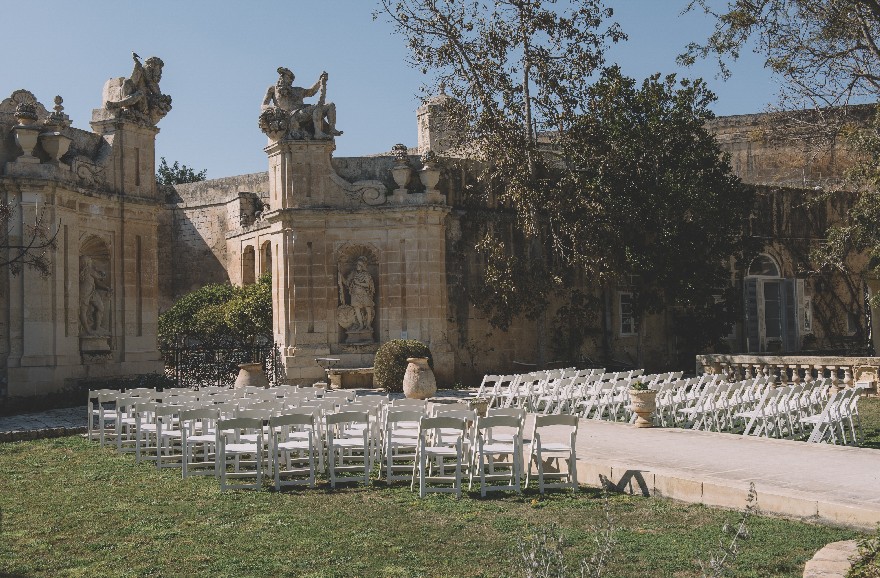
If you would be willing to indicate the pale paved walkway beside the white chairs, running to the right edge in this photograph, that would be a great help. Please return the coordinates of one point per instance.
(833, 484)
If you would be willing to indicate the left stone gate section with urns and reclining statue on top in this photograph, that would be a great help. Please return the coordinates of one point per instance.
(94, 313)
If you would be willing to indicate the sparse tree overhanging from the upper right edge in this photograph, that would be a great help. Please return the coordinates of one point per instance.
(828, 54)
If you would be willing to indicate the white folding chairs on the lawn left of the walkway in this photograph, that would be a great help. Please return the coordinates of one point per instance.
(172, 435)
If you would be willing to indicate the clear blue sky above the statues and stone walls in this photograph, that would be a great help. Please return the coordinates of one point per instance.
(220, 56)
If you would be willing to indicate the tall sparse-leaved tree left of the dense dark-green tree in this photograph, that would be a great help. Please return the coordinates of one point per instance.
(514, 68)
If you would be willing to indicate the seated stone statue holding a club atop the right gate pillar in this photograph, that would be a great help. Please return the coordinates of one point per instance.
(284, 112)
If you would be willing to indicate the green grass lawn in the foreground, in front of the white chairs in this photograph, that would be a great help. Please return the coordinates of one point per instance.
(70, 508)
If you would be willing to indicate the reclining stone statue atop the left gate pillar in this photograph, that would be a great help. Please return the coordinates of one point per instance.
(139, 96)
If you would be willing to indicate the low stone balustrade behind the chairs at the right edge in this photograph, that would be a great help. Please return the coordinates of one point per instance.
(794, 369)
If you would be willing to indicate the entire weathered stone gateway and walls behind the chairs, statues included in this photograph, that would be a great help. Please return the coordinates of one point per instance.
(361, 250)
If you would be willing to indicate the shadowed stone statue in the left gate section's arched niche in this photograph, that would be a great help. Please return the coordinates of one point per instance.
(94, 289)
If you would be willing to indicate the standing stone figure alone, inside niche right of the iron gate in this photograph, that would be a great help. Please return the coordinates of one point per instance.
(357, 316)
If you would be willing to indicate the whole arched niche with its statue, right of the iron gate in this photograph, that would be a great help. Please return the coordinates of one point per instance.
(356, 312)
